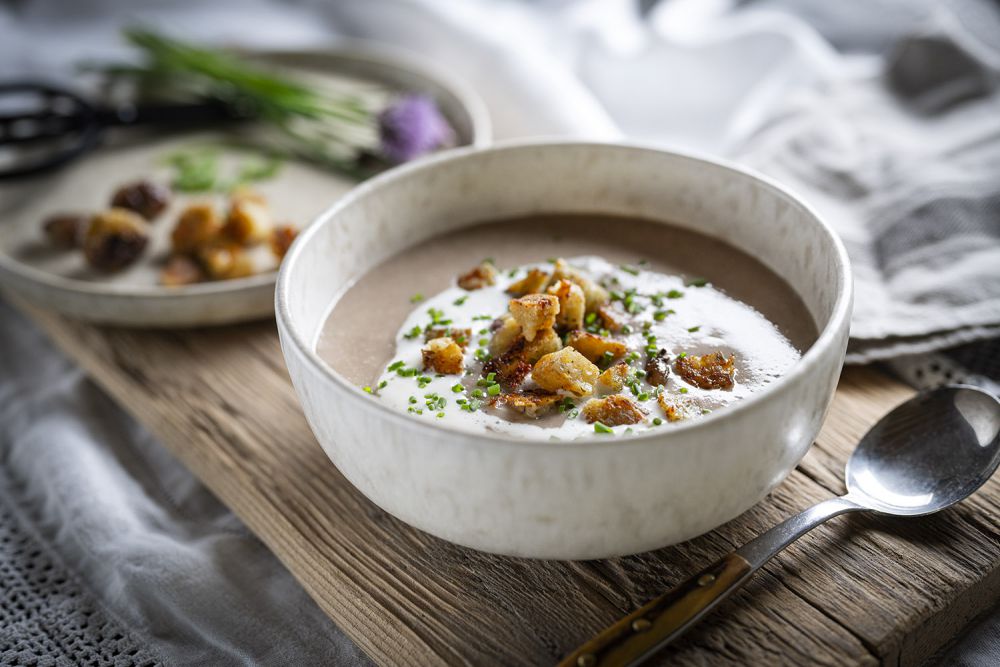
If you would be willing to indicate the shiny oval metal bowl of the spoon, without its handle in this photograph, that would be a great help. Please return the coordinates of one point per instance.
(928, 454)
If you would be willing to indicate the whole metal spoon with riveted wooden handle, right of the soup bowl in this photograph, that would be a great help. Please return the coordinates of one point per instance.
(927, 454)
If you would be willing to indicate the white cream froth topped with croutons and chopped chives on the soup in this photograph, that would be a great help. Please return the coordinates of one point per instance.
(571, 348)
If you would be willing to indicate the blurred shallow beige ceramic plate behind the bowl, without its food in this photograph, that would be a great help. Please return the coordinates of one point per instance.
(63, 282)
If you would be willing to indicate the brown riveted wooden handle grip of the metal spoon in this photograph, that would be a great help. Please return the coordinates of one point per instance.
(660, 621)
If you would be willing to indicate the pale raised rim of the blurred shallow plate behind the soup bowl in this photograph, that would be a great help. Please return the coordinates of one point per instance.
(346, 49)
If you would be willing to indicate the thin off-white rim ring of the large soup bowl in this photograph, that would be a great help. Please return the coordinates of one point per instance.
(827, 337)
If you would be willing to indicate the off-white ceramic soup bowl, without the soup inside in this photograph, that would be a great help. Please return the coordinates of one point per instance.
(593, 498)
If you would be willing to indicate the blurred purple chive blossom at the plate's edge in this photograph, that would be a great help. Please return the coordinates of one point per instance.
(411, 127)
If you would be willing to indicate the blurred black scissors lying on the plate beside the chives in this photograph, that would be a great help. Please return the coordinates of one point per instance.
(59, 125)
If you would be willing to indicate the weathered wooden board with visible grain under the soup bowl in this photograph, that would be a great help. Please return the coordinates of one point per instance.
(857, 591)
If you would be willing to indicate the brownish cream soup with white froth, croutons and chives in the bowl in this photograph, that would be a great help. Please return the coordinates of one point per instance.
(560, 326)
